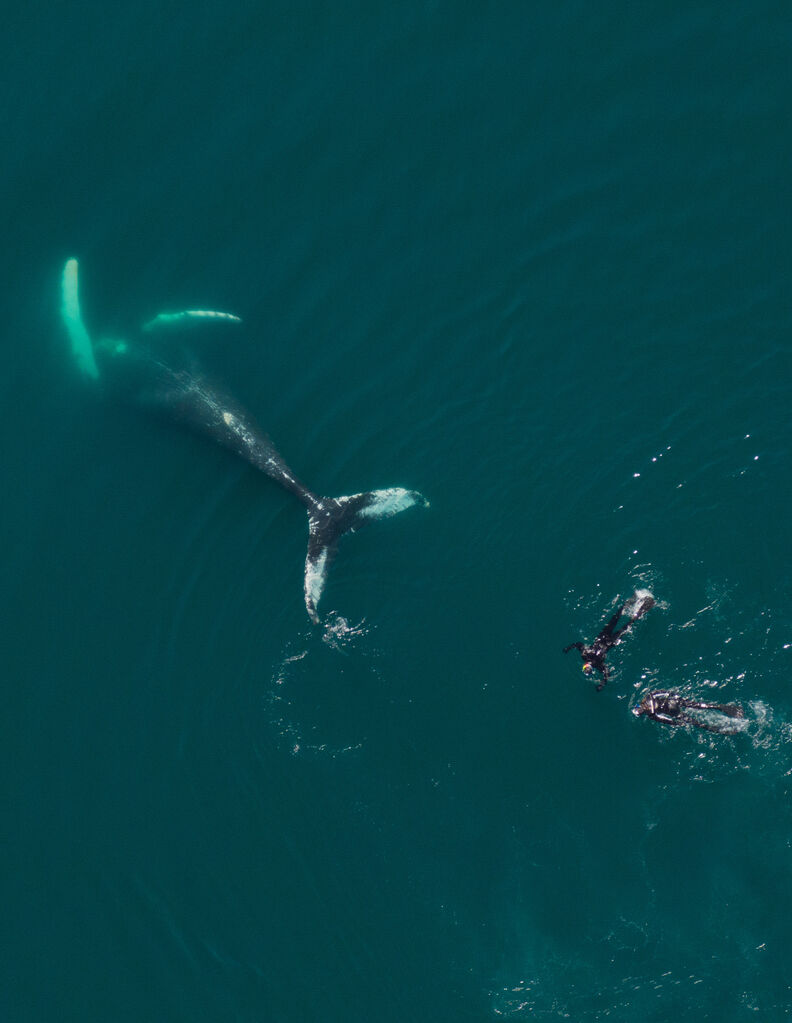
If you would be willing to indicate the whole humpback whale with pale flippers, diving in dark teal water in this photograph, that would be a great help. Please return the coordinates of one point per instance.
(187, 396)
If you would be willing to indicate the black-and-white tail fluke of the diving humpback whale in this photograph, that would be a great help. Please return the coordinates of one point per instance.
(331, 518)
